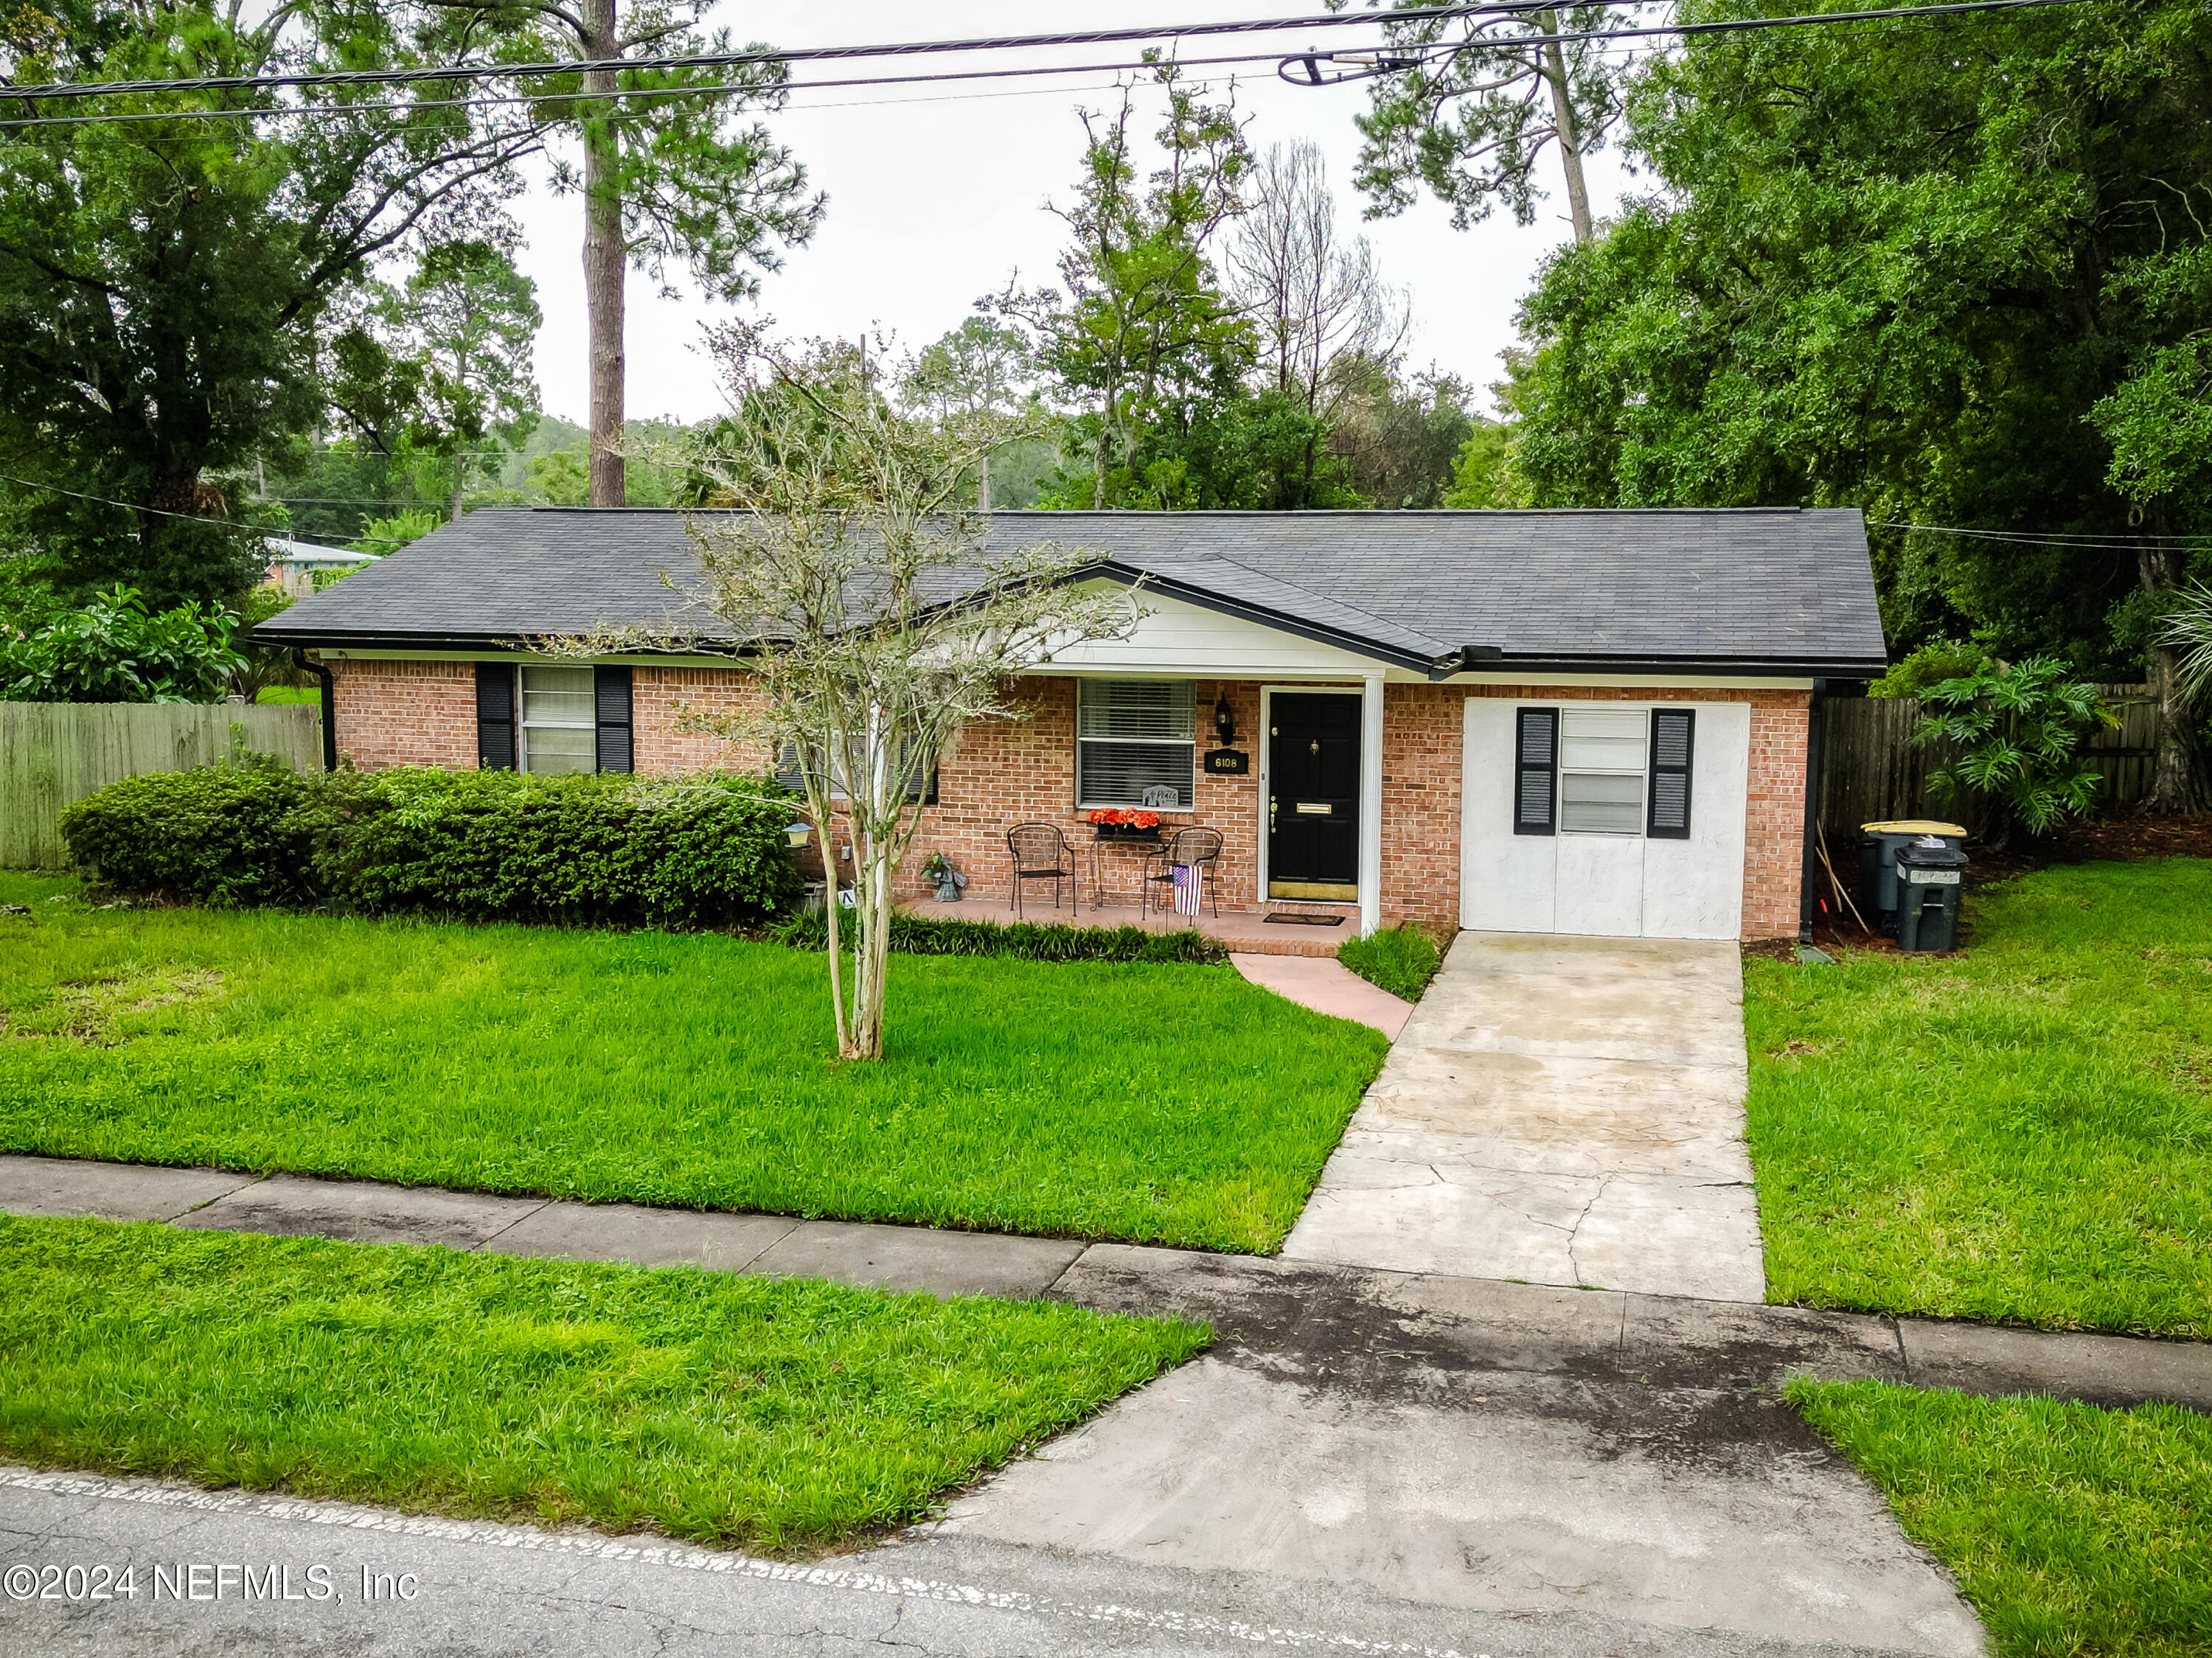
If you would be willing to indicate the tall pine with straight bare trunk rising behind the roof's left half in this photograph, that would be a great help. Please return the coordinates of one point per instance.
(669, 178)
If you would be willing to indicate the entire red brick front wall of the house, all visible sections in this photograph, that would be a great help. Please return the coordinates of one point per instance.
(1005, 773)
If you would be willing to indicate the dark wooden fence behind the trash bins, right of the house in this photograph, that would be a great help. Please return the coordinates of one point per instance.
(1872, 770)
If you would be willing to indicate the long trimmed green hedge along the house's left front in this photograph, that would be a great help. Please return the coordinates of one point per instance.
(477, 846)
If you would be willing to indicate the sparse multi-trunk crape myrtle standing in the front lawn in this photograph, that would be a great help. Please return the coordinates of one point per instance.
(848, 549)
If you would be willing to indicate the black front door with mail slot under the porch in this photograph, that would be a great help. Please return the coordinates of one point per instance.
(1315, 797)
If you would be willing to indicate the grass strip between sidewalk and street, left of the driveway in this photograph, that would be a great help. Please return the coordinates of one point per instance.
(753, 1412)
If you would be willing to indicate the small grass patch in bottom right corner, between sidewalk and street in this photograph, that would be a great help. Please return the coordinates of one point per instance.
(2076, 1533)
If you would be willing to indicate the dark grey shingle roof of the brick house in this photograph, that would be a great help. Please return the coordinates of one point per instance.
(1742, 591)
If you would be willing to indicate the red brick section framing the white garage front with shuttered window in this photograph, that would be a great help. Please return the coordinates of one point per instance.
(1423, 744)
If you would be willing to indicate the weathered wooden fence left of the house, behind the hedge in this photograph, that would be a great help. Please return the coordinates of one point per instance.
(61, 753)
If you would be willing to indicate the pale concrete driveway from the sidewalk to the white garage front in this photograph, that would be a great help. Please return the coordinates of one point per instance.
(1561, 1111)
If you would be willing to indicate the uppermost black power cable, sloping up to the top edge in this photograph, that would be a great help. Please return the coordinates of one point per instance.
(747, 59)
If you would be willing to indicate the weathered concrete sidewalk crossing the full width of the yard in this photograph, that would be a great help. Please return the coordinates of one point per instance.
(1525, 1328)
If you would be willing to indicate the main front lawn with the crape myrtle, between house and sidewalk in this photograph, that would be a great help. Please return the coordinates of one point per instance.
(1147, 1102)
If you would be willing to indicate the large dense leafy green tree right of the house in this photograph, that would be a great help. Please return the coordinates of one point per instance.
(1954, 273)
